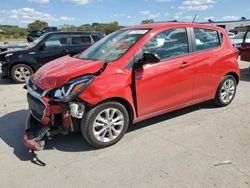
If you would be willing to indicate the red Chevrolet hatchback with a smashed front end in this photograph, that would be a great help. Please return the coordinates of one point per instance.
(133, 74)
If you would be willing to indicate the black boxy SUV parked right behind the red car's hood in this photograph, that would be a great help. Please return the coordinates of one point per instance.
(22, 63)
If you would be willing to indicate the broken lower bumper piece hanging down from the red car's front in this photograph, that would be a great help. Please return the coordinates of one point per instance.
(34, 134)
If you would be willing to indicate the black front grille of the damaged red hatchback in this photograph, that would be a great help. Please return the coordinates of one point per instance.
(37, 107)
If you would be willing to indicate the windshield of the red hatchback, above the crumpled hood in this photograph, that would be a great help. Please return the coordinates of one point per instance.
(113, 46)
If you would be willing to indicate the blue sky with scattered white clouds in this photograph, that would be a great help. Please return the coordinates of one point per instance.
(126, 12)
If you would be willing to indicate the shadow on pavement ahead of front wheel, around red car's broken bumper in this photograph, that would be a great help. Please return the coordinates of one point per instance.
(11, 132)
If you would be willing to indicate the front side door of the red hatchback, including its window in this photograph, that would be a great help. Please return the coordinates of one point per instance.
(168, 83)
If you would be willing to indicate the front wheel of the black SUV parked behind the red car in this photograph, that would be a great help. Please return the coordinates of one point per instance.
(20, 72)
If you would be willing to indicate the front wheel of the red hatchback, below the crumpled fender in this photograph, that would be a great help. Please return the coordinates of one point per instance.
(105, 124)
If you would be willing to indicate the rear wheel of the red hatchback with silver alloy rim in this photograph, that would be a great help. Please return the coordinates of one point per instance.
(226, 91)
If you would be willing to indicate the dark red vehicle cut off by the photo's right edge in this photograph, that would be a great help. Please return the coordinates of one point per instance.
(245, 46)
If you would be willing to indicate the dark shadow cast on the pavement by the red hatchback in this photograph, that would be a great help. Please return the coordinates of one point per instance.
(12, 127)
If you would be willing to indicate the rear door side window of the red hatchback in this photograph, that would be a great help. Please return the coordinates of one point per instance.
(206, 39)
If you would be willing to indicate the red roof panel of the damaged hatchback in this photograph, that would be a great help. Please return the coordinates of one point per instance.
(173, 24)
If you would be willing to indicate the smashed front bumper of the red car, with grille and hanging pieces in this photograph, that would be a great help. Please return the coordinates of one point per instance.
(45, 119)
